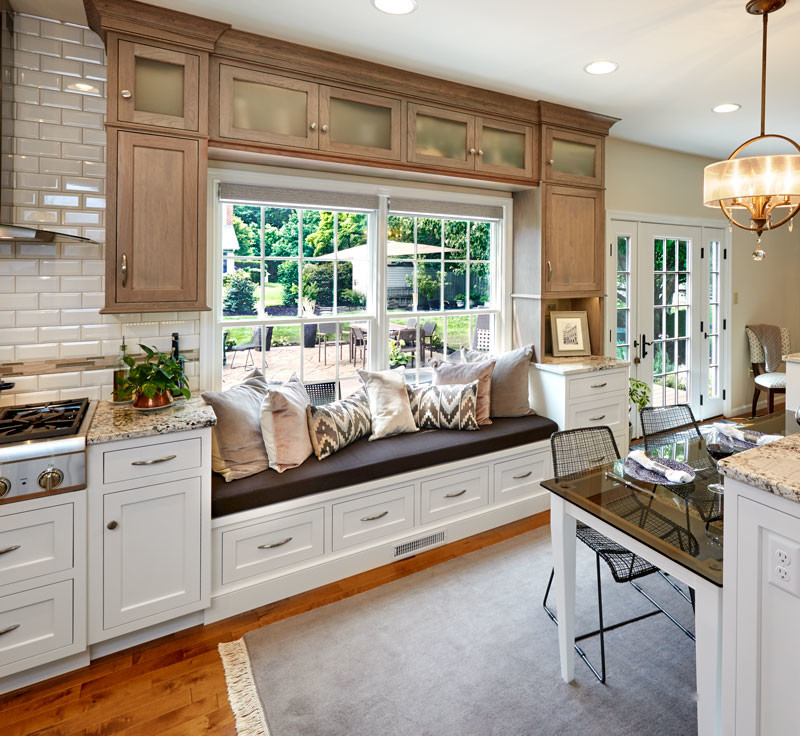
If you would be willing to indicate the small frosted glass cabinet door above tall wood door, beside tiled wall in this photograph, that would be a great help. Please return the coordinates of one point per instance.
(158, 87)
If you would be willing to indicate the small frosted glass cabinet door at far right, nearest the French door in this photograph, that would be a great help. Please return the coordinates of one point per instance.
(572, 158)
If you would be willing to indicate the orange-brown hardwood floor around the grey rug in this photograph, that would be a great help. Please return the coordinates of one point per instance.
(175, 686)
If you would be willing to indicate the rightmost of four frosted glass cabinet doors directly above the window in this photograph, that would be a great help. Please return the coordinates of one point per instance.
(503, 148)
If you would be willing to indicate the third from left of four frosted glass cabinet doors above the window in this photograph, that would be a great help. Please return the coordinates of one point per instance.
(441, 137)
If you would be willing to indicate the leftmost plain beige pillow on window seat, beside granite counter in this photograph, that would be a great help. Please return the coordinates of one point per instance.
(237, 449)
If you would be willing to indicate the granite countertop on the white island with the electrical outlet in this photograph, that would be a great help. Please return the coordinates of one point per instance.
(774, 468)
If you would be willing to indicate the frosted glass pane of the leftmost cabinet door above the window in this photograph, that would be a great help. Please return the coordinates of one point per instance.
(269, 109)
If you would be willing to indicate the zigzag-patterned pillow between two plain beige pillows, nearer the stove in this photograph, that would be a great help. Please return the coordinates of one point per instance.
(338, 424)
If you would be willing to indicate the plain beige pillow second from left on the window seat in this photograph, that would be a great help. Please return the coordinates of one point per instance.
(283, 424)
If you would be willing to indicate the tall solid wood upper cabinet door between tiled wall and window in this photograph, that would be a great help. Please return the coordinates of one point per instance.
(158, 258)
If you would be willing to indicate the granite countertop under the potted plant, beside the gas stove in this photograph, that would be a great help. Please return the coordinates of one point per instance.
(121, 422)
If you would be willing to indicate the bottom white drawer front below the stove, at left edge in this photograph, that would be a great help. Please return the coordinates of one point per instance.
(35, 621)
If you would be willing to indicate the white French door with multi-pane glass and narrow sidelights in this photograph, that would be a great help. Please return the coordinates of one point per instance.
(668, 311)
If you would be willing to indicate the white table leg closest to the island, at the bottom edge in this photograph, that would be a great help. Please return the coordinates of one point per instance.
(708, 629)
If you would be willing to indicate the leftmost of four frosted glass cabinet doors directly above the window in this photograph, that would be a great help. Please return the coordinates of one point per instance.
(267, 108)
